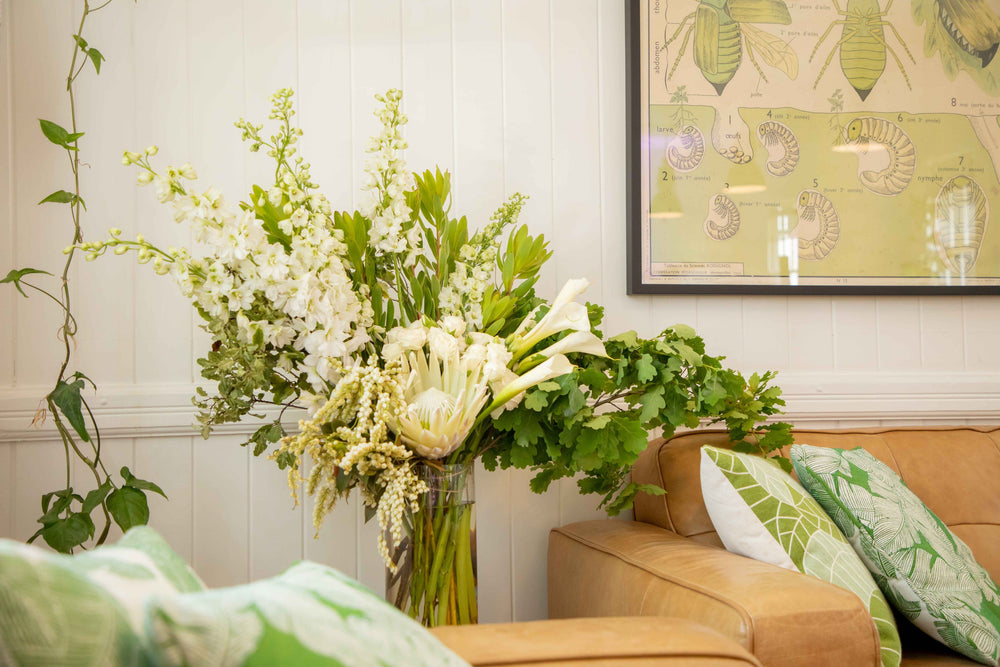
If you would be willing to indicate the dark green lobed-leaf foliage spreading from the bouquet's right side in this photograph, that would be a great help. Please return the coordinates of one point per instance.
(597, 419)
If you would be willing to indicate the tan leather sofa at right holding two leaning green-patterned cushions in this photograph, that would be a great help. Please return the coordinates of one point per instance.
(670, 562)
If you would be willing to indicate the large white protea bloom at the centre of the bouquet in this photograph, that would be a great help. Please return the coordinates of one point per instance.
(444, 397)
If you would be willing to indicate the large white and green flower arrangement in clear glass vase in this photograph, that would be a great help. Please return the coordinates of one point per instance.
(417, 343)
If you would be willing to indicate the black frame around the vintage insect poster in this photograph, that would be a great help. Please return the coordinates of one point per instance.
(634, 76)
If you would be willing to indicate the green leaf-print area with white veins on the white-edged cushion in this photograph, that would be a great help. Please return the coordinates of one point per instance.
(806, 534)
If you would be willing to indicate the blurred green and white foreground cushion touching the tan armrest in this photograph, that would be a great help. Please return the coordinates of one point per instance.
(309, 615)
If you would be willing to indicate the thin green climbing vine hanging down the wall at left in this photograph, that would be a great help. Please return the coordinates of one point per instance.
(67, 519)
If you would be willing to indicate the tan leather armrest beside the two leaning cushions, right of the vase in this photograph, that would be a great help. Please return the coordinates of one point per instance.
(626, 568)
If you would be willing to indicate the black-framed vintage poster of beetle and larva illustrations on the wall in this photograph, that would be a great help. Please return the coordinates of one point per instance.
(817, 146)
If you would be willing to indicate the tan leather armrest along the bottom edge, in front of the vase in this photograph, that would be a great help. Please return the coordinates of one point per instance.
(609, 642)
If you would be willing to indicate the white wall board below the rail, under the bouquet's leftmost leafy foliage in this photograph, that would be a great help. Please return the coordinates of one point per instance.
(220, 526)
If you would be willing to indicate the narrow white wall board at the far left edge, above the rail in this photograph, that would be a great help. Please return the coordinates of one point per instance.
(7, 228)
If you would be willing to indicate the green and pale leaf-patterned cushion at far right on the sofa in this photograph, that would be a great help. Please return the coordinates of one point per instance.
(928, 574)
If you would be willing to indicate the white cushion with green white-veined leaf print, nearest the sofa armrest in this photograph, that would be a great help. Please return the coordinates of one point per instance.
(759, 511)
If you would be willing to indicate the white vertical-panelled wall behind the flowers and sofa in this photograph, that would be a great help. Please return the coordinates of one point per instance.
(510, 95)
